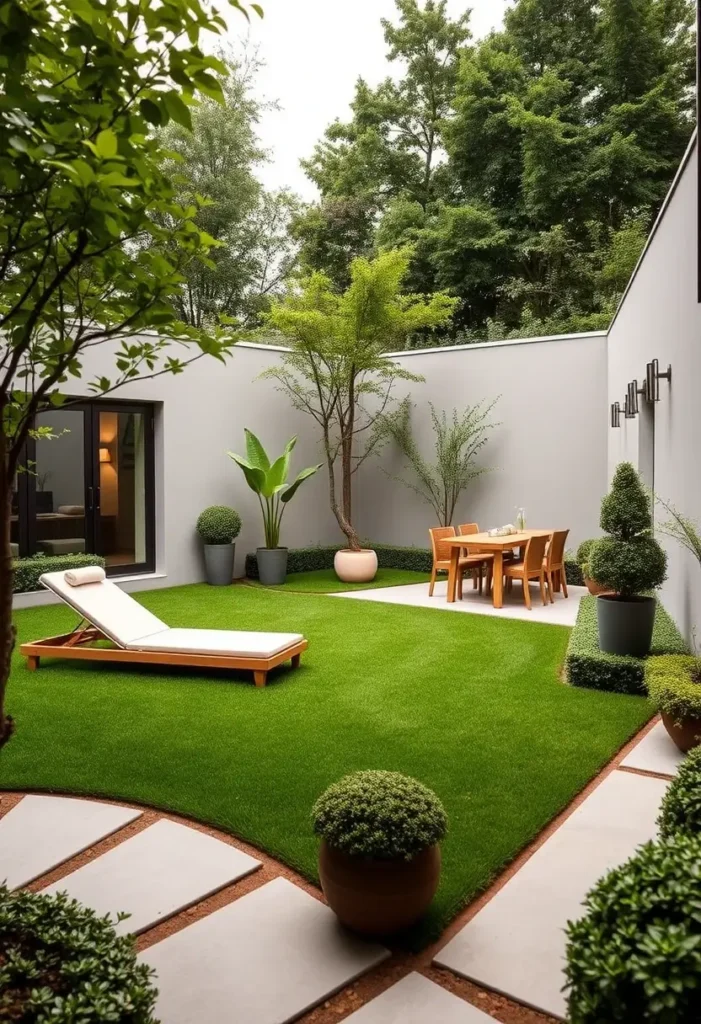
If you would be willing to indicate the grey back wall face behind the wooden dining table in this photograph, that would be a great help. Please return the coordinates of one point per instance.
(548, 455)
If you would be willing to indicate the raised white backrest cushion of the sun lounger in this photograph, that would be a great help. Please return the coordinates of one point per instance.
(116, 614)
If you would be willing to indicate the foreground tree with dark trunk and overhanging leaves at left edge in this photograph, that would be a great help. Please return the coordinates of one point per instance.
(94, 244)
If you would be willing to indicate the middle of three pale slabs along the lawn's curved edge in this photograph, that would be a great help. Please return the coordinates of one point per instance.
(156, 874)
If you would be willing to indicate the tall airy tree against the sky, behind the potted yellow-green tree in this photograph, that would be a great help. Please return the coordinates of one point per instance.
(392, 149)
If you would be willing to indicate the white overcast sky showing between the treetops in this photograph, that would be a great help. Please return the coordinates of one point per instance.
(315, 51)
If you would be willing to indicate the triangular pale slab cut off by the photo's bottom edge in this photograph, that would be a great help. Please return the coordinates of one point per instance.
(416, 1000)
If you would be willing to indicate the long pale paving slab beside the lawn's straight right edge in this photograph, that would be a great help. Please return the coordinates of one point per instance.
(516, 945)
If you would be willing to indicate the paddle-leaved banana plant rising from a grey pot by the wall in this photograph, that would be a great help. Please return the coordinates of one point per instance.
(270, 482)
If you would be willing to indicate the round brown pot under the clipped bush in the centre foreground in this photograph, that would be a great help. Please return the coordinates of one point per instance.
(379, 898)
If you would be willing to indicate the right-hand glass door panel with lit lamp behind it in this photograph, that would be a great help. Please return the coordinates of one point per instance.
(124, 509)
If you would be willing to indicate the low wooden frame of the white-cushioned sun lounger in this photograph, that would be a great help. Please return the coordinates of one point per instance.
(79, 645)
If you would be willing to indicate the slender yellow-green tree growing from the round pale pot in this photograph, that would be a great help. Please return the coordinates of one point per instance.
(337, 373)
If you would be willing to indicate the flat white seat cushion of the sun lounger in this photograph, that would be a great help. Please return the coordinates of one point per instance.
(227, 643)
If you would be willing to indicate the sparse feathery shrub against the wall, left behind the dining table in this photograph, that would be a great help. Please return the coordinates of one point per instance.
(458, 443)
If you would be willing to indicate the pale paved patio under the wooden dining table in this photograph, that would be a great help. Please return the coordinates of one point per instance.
(562, 613)
